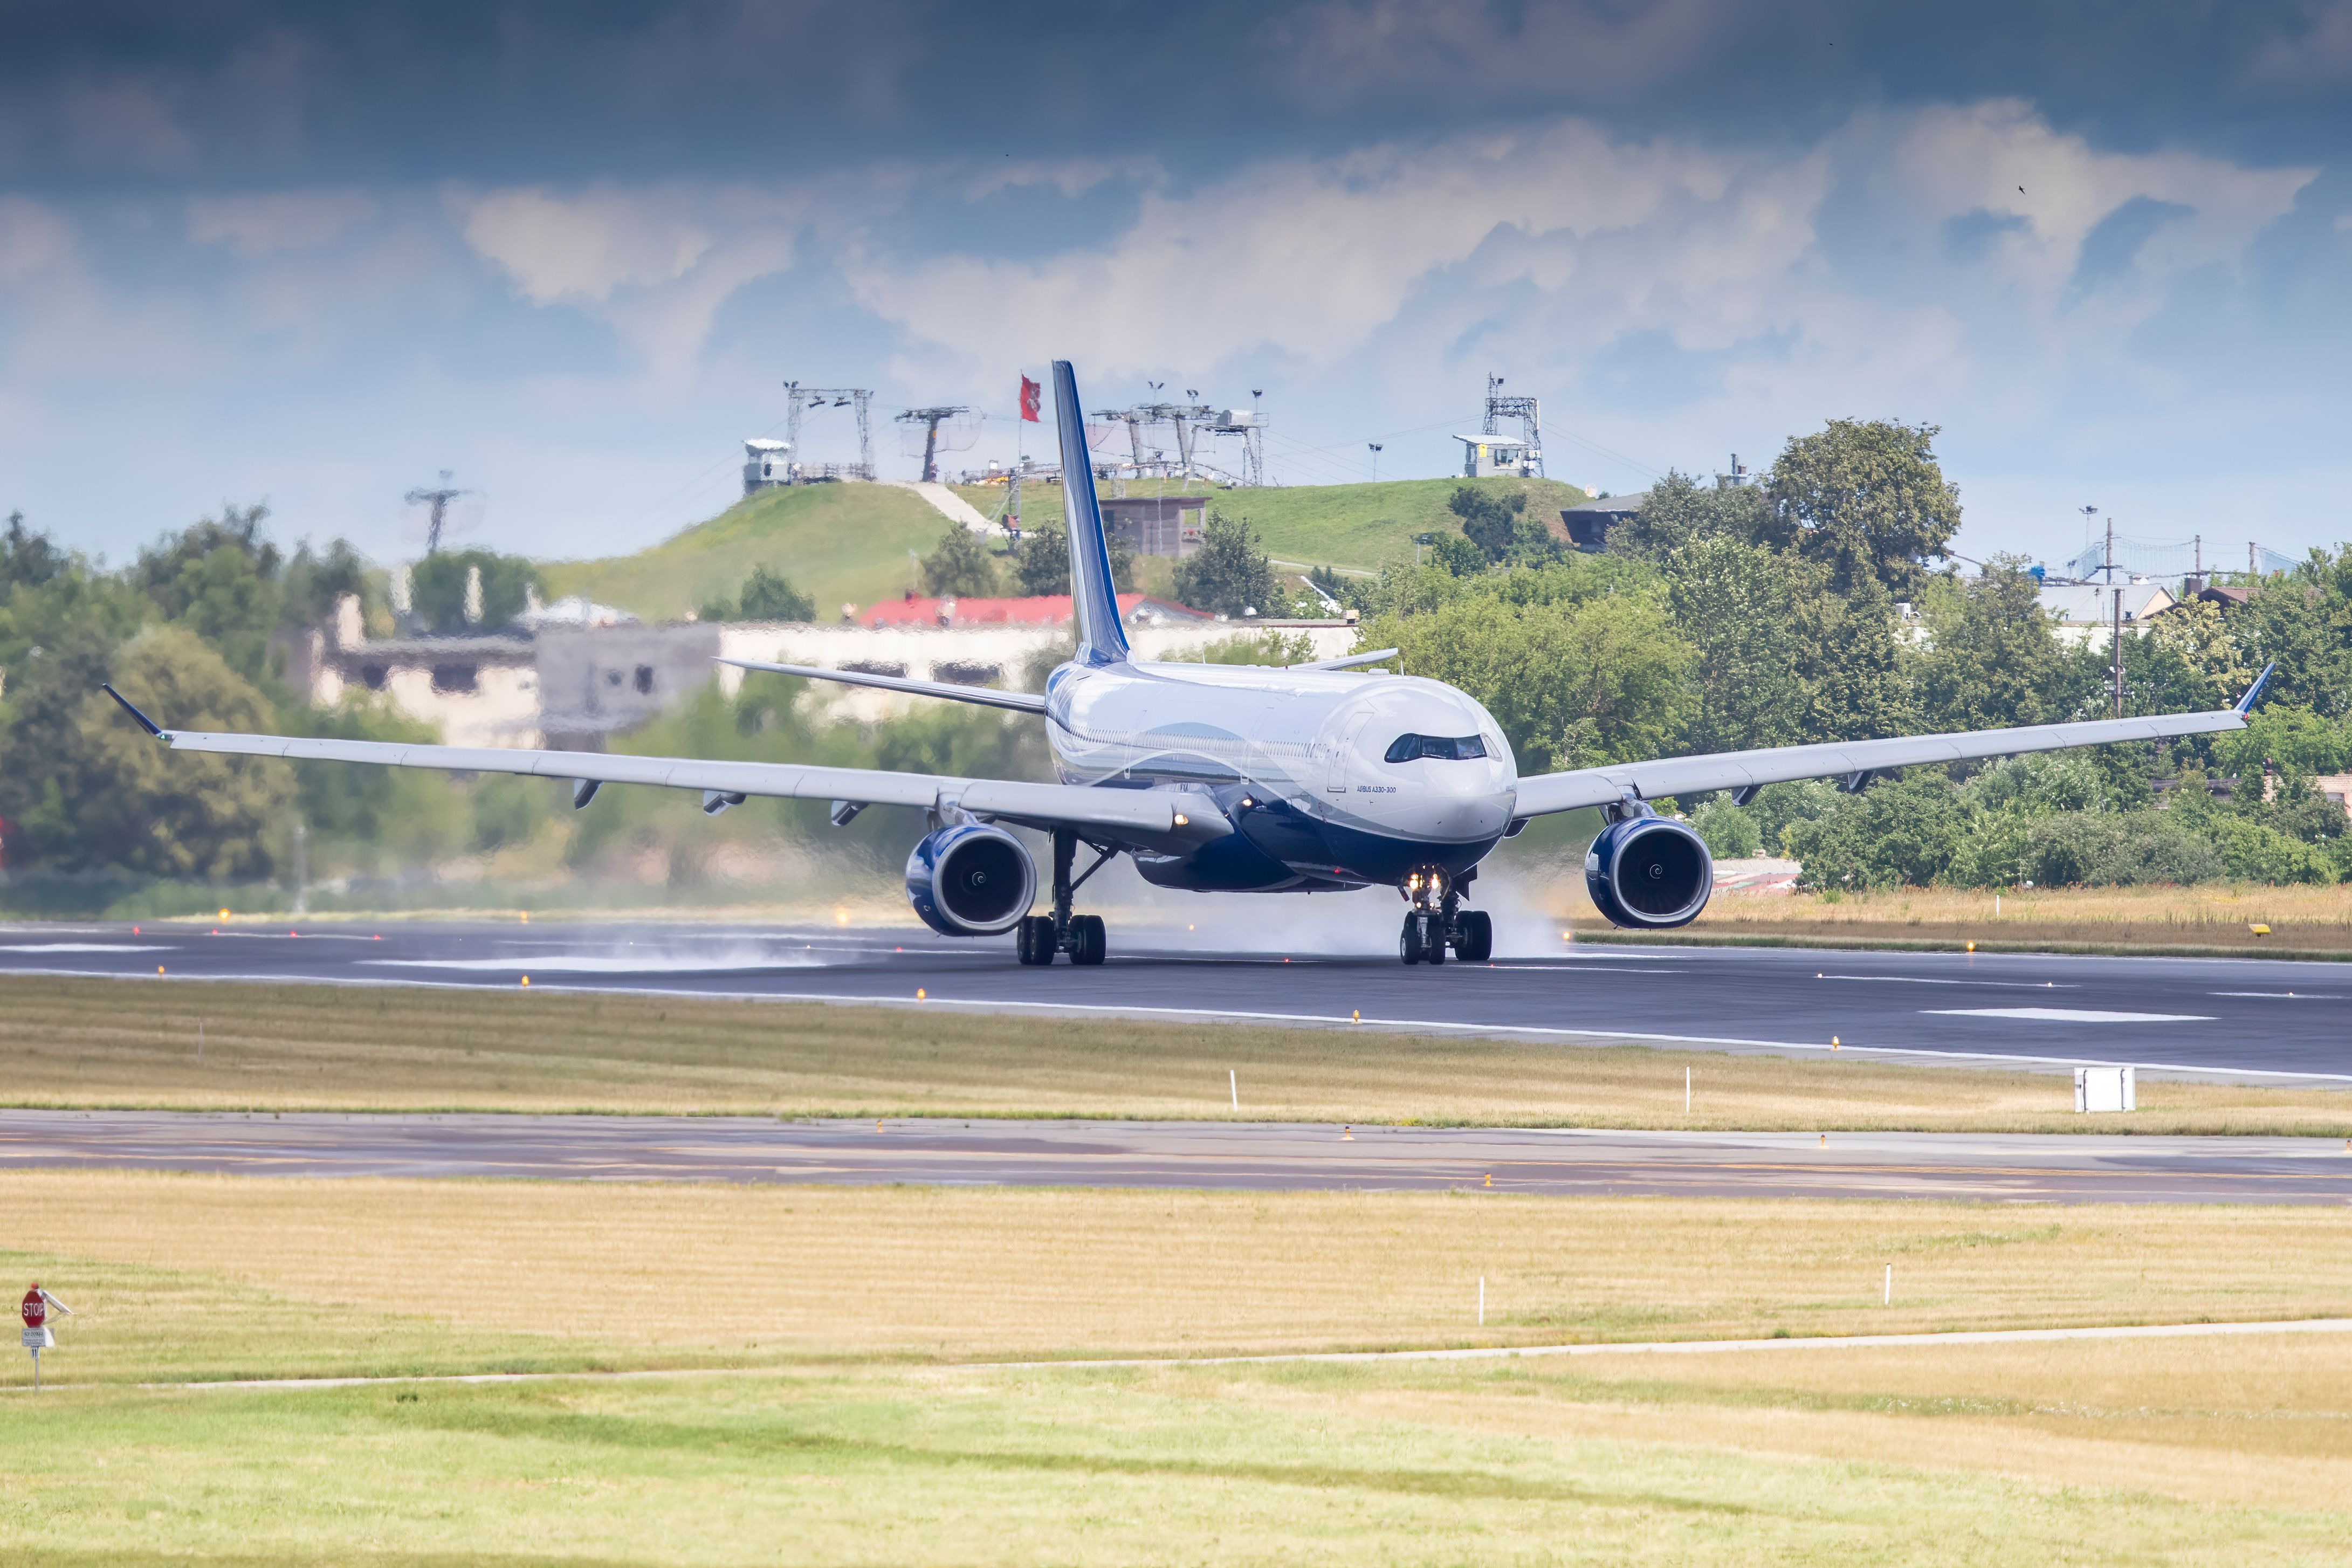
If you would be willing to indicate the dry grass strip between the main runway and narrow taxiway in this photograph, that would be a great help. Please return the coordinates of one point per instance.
(302, 1047)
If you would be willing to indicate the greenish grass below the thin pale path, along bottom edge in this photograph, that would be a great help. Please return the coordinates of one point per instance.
(1231, 1466)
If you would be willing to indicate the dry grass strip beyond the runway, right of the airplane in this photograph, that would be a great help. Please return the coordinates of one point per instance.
(2306, 920)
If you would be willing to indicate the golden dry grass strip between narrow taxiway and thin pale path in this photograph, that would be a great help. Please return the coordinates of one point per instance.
(211, 1275)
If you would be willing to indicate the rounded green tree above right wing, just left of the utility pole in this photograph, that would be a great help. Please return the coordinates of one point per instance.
(1993, 655)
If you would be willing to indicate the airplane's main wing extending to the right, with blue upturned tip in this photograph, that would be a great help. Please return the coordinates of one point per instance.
(1855, 760)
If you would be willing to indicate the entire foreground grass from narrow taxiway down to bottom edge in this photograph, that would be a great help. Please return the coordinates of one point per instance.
(850, 1440)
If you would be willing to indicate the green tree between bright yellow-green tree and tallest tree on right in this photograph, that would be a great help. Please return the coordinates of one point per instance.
(1732, 603)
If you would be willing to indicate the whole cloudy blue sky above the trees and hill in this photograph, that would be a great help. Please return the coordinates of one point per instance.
(570, 253)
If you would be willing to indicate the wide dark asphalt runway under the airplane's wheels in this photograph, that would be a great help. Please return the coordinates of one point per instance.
(2250, 1019)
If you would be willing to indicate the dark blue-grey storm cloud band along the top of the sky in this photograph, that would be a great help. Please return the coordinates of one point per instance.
(276, 91)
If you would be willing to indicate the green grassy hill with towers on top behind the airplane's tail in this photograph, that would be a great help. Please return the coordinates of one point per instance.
(848, 542)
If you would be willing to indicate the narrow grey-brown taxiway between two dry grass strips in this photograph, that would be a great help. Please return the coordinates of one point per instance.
(1198, 1155)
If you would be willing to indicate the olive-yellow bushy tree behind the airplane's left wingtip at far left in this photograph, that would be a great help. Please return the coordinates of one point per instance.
(112, 796)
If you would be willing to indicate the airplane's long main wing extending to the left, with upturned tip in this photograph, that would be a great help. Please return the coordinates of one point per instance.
(1170, 822)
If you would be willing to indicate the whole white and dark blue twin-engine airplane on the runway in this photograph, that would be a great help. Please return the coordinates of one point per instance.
(1304, 779)
